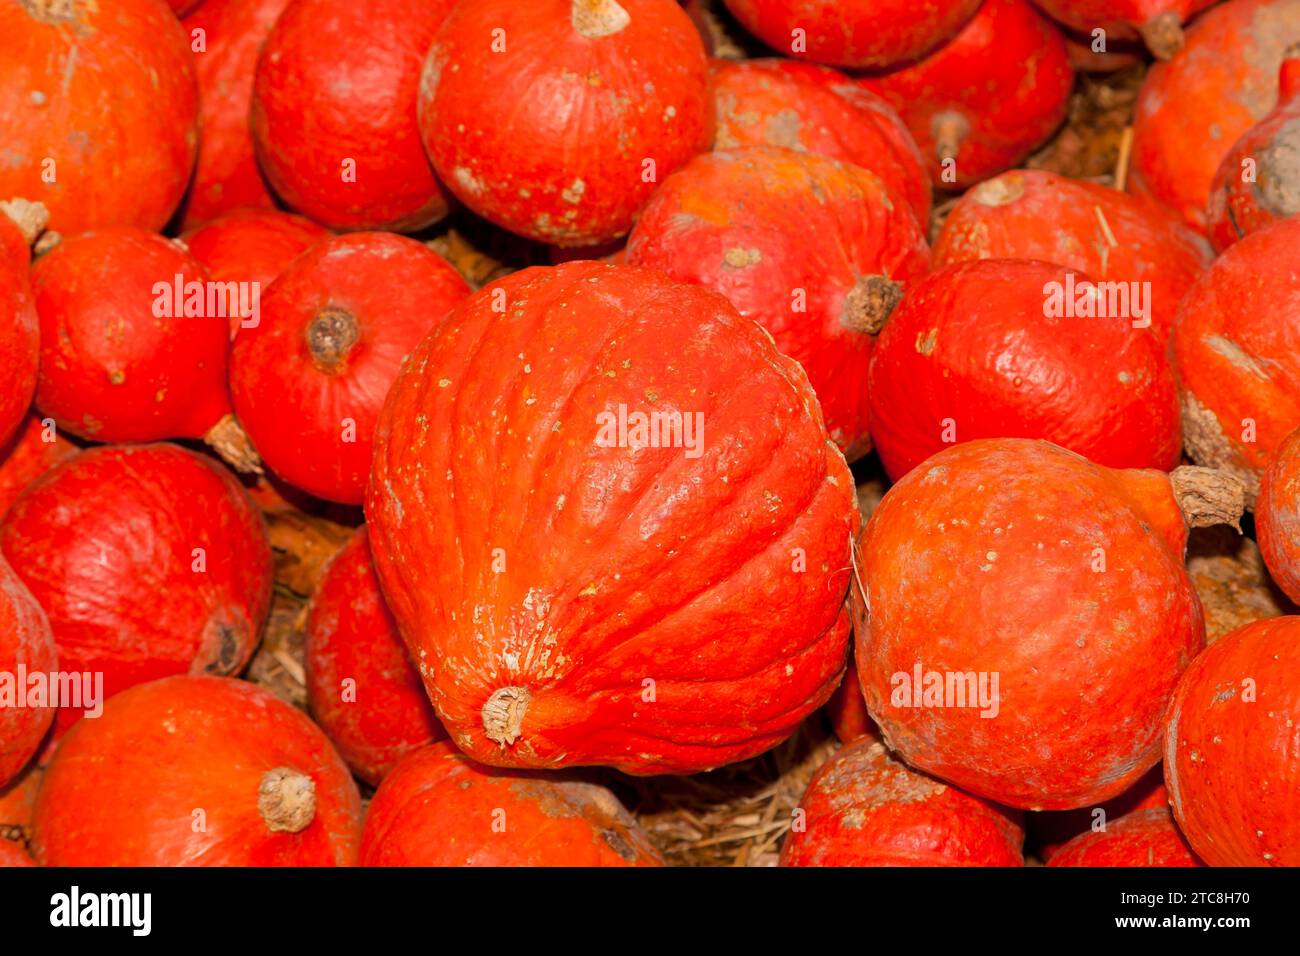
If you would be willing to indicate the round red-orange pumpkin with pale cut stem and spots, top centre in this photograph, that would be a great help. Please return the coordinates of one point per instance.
(543, 175)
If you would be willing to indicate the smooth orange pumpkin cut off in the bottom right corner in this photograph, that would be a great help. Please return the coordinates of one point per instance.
(1230, 763)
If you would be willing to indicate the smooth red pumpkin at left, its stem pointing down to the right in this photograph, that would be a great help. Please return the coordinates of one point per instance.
(132, 349)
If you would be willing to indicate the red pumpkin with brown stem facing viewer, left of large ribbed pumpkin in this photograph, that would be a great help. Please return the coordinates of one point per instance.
(335, 330)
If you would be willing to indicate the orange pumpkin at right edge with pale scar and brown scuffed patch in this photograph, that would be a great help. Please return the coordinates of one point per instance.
(1237, 351)
